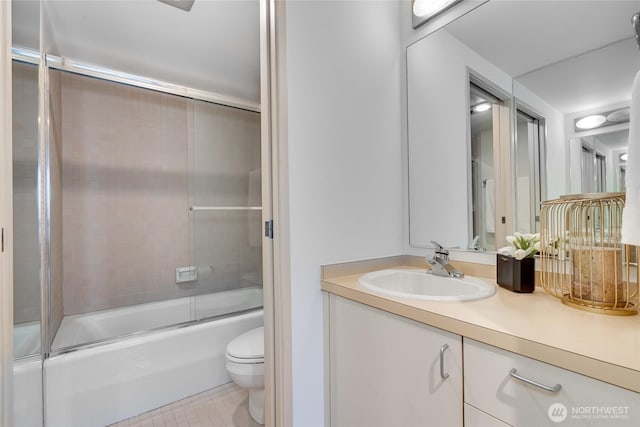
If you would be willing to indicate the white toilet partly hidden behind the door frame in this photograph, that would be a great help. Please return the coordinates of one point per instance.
(245, 365)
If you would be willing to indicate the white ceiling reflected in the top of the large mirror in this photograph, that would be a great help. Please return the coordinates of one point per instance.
(532, 39)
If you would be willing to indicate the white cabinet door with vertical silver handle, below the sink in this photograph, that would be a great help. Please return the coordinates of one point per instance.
(385, 370)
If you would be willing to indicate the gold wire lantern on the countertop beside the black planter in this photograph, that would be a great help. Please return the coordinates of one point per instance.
(582, 261)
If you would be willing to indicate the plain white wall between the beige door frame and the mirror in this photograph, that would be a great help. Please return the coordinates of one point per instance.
(344, 148)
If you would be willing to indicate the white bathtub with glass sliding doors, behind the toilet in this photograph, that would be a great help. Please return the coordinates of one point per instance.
(103, 384)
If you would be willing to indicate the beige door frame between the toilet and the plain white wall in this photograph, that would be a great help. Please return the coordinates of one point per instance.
(276, 251)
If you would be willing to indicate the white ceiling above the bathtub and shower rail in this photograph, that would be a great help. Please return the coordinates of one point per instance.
(214, 47)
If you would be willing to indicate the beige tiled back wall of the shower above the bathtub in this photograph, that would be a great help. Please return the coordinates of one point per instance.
(127, 154)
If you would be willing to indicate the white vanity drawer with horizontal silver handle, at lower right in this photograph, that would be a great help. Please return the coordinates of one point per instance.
(580, 401)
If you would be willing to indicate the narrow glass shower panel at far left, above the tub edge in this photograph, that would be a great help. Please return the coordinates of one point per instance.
(25, 102)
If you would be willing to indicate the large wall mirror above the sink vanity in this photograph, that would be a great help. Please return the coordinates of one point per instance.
(495, 103)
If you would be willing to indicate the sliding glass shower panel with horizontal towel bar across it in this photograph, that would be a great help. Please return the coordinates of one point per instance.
(226, 208)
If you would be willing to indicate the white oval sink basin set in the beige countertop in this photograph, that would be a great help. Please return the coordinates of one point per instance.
(417, 284)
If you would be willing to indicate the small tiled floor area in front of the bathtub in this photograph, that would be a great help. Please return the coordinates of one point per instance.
(224, 406)
